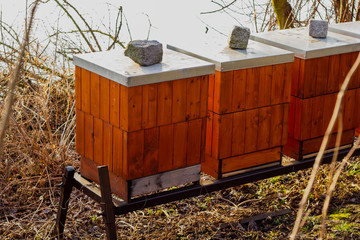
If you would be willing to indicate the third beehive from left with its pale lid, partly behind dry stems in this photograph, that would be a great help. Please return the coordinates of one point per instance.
(319, 69)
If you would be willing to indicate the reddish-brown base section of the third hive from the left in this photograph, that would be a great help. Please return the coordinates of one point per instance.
(299, 149)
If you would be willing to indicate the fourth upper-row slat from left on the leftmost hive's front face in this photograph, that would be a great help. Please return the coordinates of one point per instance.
(179, 101)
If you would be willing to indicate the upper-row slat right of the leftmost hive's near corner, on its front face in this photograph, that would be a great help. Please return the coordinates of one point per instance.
(134, 108)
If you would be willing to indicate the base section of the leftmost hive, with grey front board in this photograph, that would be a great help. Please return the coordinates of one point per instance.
(132, 188)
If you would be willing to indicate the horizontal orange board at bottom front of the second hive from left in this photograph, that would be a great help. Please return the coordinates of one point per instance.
(251, 160)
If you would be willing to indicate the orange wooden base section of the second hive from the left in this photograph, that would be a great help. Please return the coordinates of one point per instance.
(219, 168)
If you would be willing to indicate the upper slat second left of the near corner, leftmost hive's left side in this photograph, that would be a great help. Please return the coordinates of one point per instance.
(115, 103)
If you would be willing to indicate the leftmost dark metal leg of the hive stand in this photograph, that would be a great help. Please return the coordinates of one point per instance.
(66, 189)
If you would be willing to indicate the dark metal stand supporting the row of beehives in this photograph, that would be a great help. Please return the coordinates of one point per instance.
(112, 207)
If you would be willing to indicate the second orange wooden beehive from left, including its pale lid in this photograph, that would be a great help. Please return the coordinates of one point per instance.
(248, 105)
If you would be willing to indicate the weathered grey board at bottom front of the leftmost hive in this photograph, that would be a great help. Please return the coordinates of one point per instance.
(165, 180)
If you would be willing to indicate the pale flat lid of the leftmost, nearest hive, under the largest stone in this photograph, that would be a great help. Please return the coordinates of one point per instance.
(121, 69)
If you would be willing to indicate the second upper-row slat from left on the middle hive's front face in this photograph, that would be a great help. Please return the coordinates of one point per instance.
(239, 90)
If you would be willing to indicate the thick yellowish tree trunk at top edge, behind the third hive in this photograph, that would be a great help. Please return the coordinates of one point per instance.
(284, 15)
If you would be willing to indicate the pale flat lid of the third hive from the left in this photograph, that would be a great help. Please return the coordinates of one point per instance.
(306, 47)
